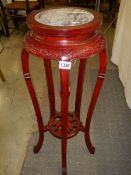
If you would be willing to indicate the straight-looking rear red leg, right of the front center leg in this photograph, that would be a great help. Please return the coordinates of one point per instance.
(81, 73)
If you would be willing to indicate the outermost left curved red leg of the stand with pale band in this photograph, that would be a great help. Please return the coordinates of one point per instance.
(25, 66)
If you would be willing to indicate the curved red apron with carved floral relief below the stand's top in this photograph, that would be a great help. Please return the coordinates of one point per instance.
(80, 51)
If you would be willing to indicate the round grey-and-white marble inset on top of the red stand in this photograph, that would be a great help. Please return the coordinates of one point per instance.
(64, 17)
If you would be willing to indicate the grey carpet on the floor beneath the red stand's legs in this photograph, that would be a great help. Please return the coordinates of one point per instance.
(110, 133)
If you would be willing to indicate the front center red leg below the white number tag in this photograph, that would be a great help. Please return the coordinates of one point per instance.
(64, 76)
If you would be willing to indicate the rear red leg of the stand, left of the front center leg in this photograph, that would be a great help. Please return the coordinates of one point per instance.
(50, 85)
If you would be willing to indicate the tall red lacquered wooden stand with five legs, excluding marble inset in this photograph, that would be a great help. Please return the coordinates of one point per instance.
(64, 44)
